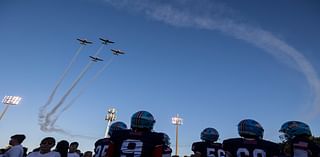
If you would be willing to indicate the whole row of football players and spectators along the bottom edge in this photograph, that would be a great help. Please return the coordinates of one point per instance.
(140, 140)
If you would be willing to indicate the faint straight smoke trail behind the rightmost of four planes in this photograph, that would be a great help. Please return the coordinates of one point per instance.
(84, 88)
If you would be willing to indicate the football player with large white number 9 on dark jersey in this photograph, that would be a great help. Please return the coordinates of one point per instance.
(139, 141)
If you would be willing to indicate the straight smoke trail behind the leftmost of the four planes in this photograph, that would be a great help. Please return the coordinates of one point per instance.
(43, 108)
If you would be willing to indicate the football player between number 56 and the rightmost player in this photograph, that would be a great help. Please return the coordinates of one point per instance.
(251, 143)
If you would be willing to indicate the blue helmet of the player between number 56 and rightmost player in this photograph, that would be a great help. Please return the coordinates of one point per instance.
(249, 128)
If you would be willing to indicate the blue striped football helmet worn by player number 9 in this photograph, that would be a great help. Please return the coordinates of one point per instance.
(142, 120)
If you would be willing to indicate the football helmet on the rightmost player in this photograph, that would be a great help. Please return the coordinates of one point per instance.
(292, 129)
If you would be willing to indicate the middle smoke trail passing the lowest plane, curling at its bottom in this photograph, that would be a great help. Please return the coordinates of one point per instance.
(47, 118)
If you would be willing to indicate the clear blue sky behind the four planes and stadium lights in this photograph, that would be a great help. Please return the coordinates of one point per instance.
(213, 62)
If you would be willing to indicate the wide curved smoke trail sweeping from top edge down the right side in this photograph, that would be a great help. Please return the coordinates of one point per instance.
(213, 16)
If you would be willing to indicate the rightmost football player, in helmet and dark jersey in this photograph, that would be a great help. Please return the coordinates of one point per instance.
(297, 139)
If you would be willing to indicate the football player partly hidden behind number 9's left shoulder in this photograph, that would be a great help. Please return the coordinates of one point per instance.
(101, 145)
